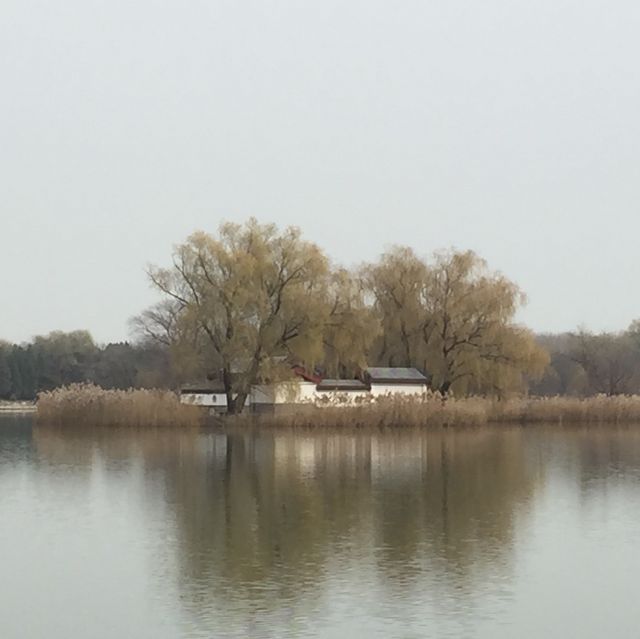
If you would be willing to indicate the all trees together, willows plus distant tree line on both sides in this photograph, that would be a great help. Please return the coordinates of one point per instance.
(244, 305)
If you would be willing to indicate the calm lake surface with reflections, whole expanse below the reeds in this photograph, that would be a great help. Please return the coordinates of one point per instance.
(492, 533)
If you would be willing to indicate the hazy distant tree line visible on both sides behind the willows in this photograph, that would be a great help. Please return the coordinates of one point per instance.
(580, 363)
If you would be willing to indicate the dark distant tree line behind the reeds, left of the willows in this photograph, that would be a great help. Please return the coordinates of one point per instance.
(59, 358)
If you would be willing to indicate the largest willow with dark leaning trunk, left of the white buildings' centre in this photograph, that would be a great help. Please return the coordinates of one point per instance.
(252, 293)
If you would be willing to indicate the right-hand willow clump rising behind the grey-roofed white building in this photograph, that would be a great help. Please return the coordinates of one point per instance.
(453, 319)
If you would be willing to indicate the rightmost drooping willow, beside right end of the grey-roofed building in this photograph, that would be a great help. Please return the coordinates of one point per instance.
(470, 339)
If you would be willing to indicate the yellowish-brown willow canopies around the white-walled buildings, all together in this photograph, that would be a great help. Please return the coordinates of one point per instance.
(240, 302)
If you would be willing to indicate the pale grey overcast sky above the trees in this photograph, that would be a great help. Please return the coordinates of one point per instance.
(508, 127)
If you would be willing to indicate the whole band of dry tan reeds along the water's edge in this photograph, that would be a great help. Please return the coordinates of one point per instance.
(86, 404)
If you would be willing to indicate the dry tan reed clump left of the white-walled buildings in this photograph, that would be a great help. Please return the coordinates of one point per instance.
(90, 405)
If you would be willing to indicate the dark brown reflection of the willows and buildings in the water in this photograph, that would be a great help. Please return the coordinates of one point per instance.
(268, 516)
